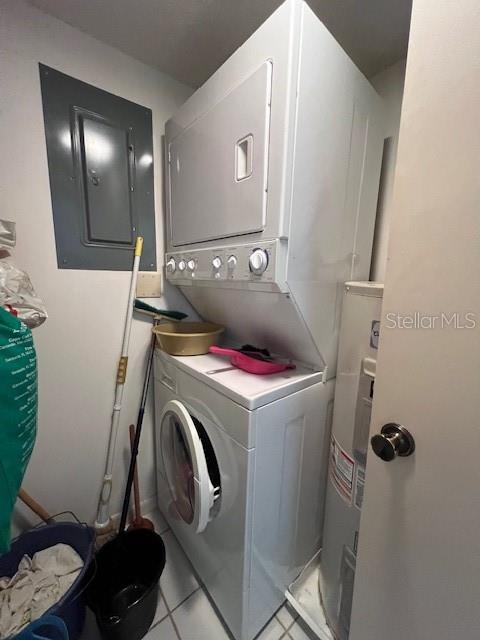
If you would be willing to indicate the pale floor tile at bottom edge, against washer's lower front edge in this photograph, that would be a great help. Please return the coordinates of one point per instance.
(197, 620)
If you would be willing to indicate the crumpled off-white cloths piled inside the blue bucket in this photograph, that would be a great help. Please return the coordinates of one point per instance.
(39, 583)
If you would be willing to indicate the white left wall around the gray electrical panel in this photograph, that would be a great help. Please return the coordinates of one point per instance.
(78, 346)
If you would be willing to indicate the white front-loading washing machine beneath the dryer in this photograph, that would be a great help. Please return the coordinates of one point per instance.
(241, 463)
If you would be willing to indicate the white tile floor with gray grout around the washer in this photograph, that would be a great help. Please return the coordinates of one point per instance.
(184, 611)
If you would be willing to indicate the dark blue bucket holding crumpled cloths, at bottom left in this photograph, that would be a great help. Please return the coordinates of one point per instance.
(71, 608)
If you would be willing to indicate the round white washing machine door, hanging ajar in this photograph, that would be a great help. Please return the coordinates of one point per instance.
(184, 458)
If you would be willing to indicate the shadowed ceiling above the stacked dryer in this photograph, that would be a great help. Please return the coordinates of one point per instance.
(190, 39)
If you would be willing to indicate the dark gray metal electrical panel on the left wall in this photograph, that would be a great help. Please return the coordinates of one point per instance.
(100, 161)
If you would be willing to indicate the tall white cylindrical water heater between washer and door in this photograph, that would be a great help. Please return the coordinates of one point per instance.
(359, 333)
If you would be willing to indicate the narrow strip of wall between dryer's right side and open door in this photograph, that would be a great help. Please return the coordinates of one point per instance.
(389, 84)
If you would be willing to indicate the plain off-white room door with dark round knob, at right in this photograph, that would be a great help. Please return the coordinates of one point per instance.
(418, 570)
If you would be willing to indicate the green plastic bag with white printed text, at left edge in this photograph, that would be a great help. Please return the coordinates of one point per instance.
(18, 413)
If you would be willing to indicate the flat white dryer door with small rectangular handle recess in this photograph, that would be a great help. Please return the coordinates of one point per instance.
(218, 166)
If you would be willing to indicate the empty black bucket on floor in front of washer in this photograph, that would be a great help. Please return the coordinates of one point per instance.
(124, 591)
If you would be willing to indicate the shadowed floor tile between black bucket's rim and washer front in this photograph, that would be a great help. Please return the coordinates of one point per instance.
(177, 581)
